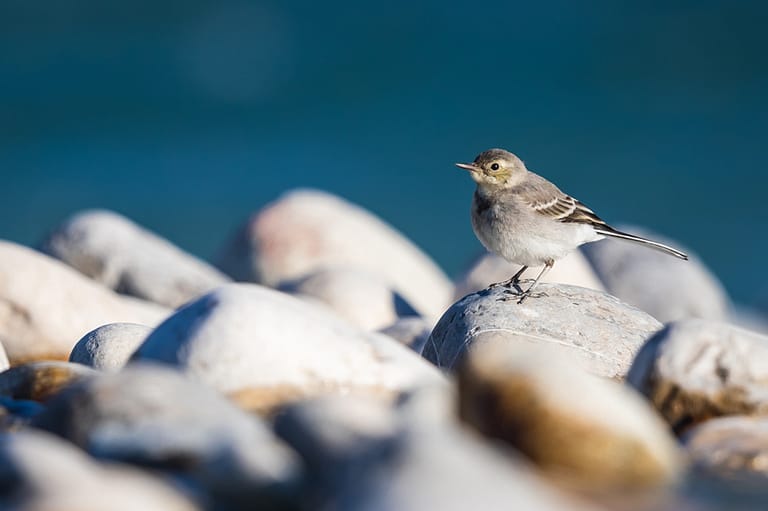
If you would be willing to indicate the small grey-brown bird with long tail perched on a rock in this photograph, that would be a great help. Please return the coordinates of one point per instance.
(527, 220)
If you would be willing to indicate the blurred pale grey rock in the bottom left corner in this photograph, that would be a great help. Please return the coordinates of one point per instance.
(40, 472)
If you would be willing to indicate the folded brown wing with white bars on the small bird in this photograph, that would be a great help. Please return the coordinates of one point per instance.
(547, 199)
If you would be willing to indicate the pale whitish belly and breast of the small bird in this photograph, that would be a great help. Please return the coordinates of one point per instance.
(529, 243)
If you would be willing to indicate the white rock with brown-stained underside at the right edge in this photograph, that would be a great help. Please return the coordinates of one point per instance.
(696, 369)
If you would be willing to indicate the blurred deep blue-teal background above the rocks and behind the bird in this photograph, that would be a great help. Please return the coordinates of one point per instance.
(186, 116)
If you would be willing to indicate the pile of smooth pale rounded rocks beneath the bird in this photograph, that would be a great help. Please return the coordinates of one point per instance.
(324, 361)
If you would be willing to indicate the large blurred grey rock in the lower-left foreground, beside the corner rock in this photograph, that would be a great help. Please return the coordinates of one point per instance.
(153, 416)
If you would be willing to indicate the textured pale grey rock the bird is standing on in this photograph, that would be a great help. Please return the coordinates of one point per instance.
(597, 330)
